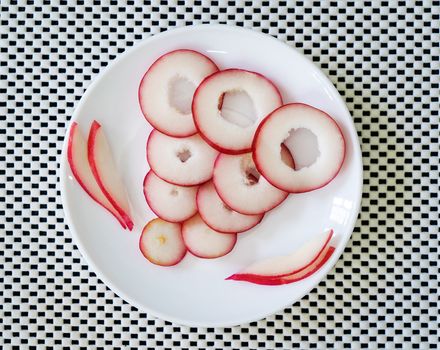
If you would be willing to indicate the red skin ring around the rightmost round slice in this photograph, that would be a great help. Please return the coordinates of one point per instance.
(258, 162)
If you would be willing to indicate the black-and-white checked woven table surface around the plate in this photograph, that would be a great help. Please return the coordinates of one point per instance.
(383, 57)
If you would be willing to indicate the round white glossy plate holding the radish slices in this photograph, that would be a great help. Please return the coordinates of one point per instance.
(194, 292)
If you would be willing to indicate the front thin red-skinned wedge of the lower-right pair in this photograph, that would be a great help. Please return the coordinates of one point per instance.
(295, 277)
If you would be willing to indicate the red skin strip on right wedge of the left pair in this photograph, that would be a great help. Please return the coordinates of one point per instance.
(91, 151)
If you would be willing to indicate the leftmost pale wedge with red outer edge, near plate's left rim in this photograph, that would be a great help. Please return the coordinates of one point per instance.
(79, 164)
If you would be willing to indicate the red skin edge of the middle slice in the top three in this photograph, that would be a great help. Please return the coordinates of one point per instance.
(220, 104)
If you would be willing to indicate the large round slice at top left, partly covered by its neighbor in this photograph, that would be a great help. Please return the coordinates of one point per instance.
(167, 88)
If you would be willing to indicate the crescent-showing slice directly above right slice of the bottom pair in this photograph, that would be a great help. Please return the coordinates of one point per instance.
(217, 215)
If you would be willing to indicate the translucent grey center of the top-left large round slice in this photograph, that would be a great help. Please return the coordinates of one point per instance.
(180, 94)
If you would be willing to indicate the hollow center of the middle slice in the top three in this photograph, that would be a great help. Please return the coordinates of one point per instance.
(237, 108)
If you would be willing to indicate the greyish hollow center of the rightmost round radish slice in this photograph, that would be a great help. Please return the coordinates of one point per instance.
(303, 145)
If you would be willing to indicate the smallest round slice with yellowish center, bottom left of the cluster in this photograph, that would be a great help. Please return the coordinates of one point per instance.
(161, 242)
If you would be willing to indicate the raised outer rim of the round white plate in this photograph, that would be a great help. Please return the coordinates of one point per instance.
(63, 174)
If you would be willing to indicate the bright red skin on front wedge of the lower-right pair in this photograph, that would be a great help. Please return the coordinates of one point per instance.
(276, 281)
